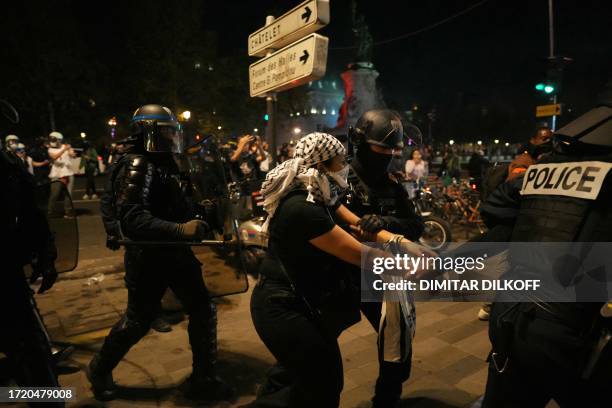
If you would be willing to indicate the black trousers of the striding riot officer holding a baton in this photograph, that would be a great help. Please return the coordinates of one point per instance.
(147, 278)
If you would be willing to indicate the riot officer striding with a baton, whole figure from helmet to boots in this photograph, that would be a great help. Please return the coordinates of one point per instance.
(151, 205)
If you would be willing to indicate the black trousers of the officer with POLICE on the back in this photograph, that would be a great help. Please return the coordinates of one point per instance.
(546, 360)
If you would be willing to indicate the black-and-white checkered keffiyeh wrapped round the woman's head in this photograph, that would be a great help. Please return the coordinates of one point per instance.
(310, 150)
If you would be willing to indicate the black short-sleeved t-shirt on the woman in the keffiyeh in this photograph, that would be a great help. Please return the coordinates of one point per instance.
(297, 221)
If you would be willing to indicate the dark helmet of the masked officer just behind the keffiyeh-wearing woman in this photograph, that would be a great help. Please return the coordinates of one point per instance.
(381, 127)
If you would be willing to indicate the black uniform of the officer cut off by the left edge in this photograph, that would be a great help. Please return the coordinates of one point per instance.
(26, 237)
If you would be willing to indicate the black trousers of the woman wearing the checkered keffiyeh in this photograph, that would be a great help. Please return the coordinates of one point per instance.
(310, 358)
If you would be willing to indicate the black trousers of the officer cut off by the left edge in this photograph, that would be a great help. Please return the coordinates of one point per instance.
(23, 339)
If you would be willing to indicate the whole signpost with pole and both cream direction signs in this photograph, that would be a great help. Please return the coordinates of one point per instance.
(301, 55)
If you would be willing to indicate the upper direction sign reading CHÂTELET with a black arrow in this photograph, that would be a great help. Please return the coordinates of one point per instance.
(300, 21)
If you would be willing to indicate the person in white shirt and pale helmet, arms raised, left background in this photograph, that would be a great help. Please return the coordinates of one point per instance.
(61, 170)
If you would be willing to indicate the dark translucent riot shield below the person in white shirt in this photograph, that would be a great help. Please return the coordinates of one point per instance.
(64, 227)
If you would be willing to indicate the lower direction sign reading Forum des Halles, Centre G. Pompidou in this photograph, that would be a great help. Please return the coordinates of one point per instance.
(303, 61)
